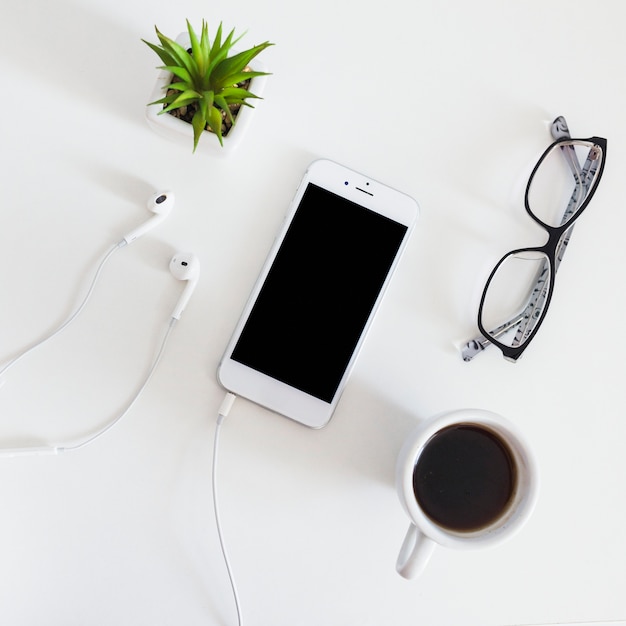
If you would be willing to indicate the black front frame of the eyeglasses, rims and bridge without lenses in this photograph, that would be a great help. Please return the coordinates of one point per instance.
(549, 249)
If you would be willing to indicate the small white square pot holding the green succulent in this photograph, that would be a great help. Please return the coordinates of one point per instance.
(176, 129)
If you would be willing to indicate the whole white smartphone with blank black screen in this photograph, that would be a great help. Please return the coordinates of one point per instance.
(306, 319)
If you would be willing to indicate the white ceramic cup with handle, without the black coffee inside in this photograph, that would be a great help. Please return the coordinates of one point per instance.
(425, 532)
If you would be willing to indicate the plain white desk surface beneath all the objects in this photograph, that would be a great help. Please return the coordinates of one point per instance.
(447, 101)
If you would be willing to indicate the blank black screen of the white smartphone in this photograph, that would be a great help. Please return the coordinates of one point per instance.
(319, 293)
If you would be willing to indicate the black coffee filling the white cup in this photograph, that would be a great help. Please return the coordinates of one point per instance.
(465, 477)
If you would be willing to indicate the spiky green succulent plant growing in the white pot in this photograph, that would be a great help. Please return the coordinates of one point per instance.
(205, 80)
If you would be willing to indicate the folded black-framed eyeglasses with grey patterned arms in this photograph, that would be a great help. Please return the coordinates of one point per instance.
(518, 291)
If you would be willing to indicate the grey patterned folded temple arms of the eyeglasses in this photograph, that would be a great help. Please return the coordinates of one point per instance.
(474, 346)
